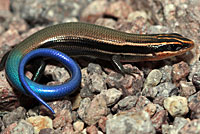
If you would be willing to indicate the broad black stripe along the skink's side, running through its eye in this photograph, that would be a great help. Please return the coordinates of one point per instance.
(93, 45)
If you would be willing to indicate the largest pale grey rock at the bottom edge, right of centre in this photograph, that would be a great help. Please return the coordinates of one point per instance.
(130, 123)
